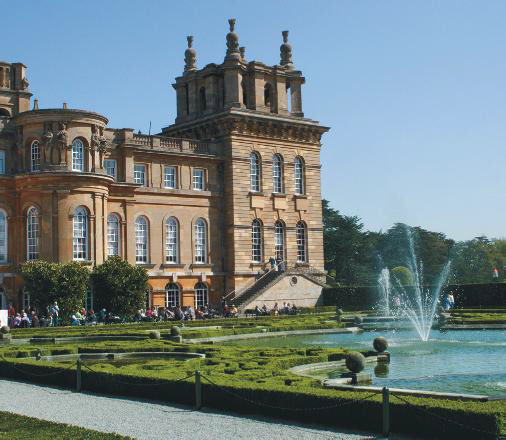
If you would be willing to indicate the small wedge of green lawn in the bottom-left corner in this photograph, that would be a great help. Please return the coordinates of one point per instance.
(16, 427)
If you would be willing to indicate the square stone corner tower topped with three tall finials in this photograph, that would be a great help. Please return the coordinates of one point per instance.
(270, 154)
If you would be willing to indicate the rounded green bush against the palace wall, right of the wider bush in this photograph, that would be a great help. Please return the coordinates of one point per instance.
(119, 287)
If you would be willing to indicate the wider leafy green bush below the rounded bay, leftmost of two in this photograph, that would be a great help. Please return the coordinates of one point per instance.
(48, 282)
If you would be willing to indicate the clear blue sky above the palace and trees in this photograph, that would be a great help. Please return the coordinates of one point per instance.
(414, 90)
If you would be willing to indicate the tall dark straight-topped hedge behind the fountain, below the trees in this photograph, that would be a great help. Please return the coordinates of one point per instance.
(465, 295)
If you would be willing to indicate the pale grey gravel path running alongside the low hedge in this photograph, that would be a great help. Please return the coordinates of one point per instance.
(150, 420)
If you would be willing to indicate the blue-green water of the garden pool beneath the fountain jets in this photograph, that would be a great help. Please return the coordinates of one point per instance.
(471, 362)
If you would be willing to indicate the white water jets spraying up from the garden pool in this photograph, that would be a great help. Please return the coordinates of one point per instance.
(416, 303)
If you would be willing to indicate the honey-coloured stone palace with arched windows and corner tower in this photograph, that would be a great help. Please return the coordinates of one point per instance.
(202, 205)
